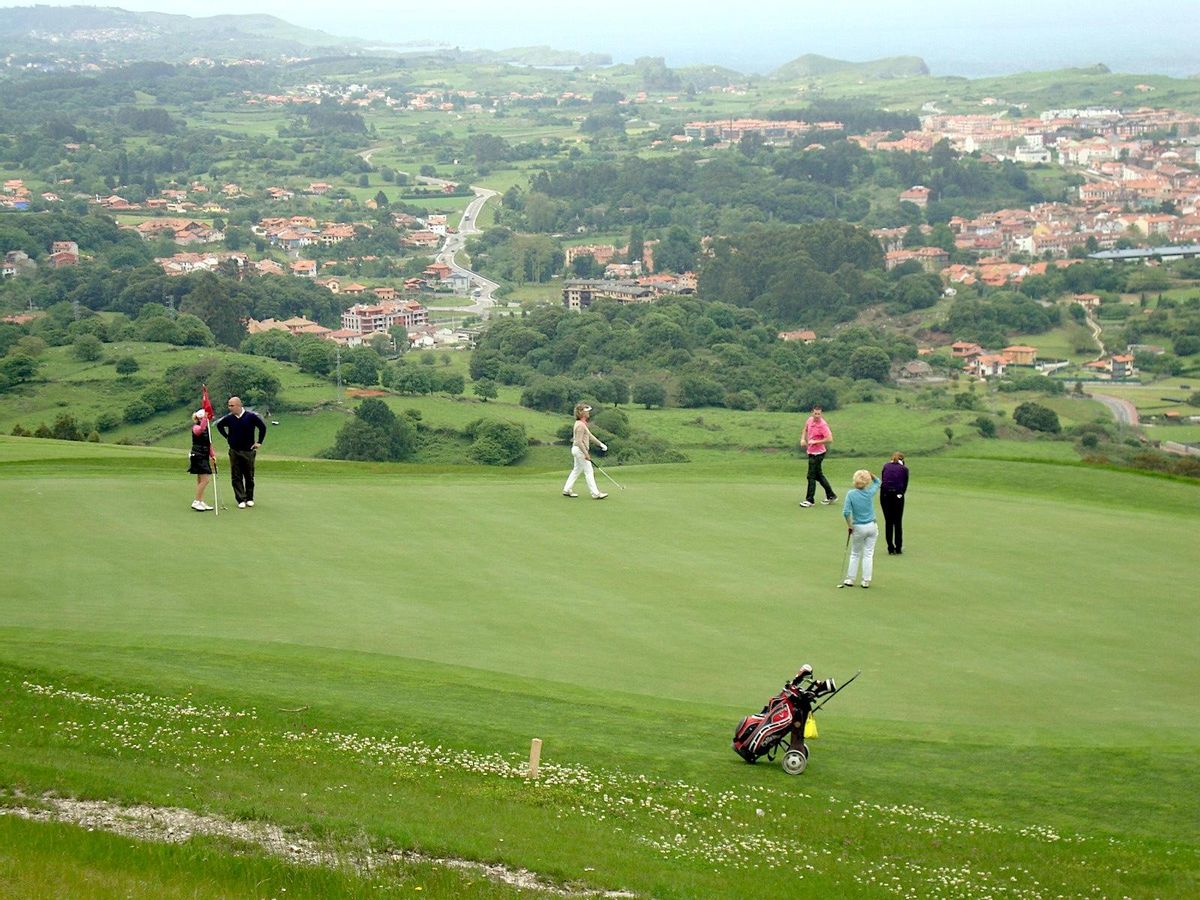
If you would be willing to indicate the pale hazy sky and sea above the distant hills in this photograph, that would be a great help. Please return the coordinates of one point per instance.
(970, 38)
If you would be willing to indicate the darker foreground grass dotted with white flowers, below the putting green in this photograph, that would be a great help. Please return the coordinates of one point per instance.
(364, 755)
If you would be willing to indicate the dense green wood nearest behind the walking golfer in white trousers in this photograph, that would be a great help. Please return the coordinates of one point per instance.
(680, 351)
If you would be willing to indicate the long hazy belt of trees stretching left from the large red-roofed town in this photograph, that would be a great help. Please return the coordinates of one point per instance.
(713, 191)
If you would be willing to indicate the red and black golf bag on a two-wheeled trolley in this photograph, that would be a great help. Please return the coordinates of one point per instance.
(784, 722)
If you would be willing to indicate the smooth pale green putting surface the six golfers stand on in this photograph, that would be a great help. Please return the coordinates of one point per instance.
(1033, 603)
